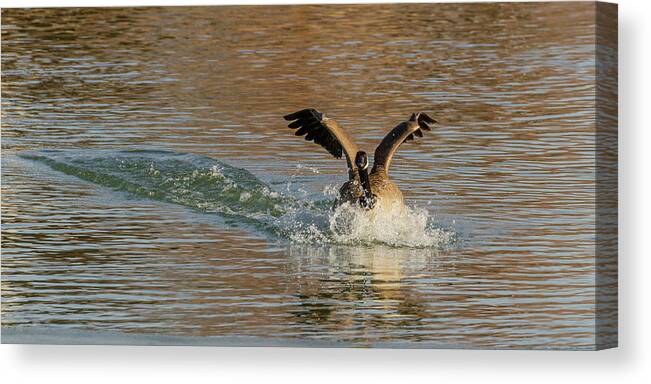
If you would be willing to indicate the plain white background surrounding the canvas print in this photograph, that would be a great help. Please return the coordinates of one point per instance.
(628, 363)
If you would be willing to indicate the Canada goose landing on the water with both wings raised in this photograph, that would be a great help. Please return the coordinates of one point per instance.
(368, 190)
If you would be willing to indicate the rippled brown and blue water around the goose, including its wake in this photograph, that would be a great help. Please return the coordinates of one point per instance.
(150, 185)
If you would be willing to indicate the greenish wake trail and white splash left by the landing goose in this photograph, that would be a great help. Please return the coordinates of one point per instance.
(213, 186)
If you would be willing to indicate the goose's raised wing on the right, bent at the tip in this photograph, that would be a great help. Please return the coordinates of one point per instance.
(403, 132)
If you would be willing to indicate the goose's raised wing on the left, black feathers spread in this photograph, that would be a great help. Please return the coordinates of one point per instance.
(325, 132)
